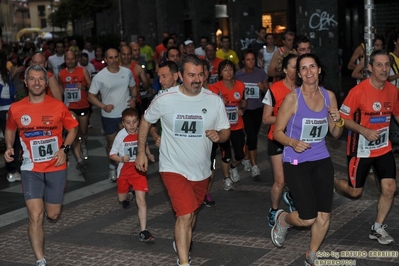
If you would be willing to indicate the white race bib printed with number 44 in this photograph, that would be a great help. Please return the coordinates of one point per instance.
(188, 126)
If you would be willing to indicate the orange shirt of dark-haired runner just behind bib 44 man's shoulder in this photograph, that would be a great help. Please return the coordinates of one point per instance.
(232, 101)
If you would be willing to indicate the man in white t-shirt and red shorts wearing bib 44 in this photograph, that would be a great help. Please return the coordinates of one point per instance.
(192, 119)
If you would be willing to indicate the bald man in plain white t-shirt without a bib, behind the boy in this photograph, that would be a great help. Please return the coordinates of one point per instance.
(114, 84)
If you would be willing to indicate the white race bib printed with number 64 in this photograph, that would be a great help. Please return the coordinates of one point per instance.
(43, 149)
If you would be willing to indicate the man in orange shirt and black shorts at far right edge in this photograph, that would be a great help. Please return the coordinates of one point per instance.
(367, 112)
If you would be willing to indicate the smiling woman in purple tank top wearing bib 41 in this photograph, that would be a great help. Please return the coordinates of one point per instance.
(304, 119)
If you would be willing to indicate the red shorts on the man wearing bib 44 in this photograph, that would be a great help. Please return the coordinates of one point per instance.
(186, 196)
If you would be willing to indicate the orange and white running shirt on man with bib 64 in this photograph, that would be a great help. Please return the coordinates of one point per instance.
(40, 130)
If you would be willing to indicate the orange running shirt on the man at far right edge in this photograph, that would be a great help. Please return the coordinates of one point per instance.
(370, 108)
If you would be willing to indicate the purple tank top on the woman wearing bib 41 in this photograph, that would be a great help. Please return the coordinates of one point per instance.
(310, 127)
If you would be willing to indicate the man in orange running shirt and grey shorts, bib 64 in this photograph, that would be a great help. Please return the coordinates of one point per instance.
(40, 121)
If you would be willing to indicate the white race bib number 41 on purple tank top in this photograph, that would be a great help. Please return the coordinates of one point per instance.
(314, 130)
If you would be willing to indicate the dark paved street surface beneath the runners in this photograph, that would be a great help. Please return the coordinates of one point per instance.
(94, 229)
